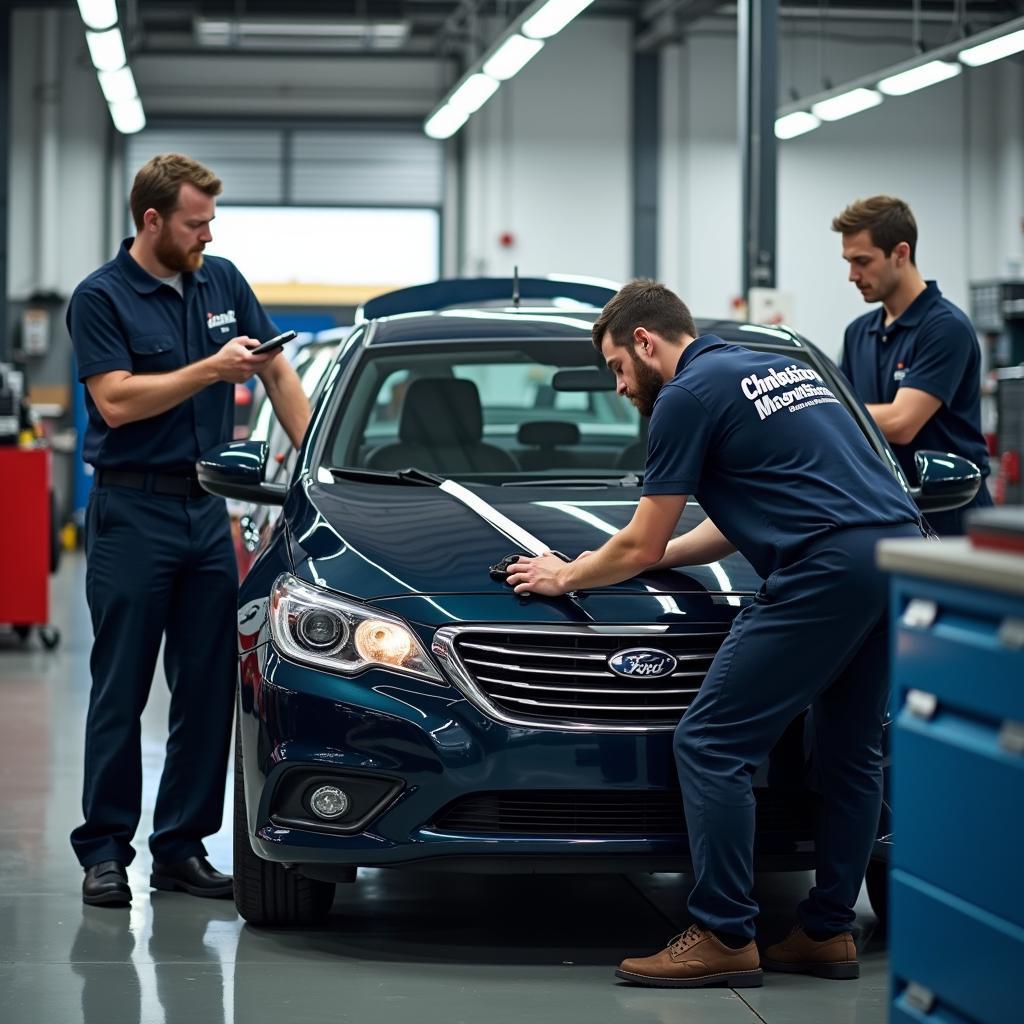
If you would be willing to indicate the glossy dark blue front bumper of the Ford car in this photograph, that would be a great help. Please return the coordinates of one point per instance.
(429, 748)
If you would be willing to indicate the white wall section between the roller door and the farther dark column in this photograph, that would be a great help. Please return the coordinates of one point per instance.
(548, 160)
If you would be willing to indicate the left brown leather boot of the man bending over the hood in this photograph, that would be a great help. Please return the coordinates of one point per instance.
(695, 960)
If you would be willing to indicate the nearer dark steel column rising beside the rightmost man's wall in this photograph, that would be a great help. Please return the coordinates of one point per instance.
(758, 67)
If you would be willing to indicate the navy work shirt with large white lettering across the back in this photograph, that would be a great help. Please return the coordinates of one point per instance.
(772, 455)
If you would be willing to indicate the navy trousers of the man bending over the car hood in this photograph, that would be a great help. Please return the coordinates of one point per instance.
(815, 637)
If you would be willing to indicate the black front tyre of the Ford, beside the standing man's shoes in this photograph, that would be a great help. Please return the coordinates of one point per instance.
(267, 893)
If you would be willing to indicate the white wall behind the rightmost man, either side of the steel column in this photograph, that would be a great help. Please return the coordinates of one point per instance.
(954, 152)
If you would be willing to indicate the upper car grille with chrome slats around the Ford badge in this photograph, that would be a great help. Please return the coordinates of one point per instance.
(562, 678)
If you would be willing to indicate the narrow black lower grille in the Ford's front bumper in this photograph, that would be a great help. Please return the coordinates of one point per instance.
(648, 814)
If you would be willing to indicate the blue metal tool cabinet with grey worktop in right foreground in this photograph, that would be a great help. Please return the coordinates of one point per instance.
(957, 884)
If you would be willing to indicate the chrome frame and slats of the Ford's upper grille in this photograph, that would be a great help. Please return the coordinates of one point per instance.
(444, 648)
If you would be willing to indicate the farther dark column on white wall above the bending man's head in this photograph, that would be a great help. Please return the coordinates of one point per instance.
(647, 157)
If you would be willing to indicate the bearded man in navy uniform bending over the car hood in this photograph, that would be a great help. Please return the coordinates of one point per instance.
(786, 477)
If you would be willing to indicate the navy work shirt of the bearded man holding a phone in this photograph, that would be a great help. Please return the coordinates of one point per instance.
(122, 318)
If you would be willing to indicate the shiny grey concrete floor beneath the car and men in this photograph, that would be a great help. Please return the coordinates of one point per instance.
(397, 948)
